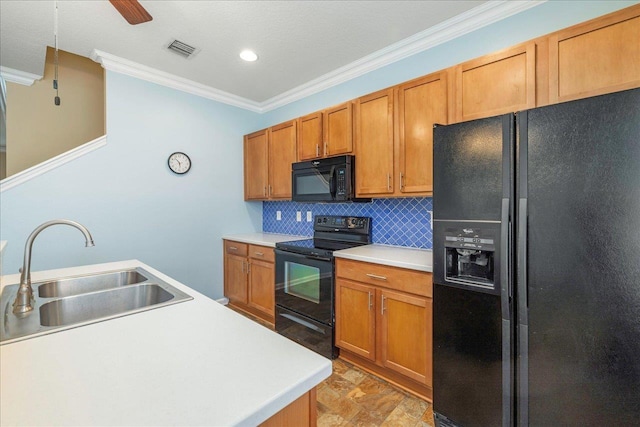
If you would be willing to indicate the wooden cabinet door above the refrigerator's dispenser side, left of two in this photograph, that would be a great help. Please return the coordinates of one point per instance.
(494, 84)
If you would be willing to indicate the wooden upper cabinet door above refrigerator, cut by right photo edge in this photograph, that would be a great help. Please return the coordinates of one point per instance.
(597, 57)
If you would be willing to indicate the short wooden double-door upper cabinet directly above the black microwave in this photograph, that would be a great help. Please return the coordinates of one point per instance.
(326, 133)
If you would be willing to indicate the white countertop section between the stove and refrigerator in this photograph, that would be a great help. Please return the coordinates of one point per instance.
(397, 256)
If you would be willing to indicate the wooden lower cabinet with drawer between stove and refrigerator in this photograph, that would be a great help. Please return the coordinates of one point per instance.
(384, 322)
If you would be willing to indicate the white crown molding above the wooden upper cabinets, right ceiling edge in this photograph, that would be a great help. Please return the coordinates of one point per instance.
(474, 19)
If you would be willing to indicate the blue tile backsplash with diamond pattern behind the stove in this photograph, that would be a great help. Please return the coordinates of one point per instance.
(398, 222)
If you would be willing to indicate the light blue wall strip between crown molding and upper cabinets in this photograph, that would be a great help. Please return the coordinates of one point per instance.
(538, 21)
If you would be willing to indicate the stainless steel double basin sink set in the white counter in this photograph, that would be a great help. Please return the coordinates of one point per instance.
(76, 301)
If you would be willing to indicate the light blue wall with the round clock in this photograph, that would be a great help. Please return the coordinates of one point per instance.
(130, 201)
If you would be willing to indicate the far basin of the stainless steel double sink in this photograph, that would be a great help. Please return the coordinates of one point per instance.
(90, 283)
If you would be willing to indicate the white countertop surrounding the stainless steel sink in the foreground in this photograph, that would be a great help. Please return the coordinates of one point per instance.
(192, 363)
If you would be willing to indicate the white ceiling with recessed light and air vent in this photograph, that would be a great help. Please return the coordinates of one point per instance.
(297, 41)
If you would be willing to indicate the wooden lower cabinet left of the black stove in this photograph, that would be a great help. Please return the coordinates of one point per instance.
(249, 278)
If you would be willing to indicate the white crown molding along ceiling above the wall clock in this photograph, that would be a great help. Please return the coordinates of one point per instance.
(134, 69)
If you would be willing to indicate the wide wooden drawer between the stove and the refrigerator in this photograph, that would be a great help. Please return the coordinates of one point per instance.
(415, 282)
